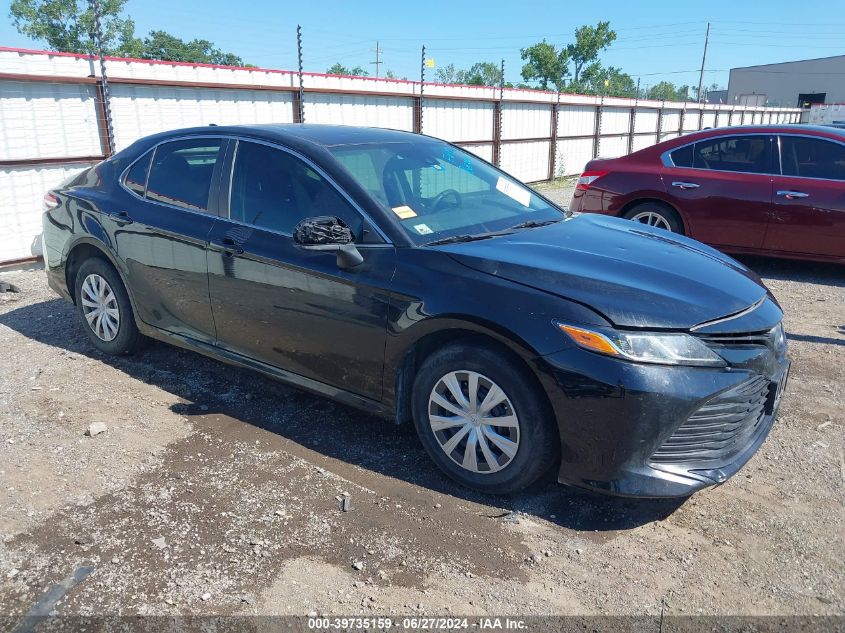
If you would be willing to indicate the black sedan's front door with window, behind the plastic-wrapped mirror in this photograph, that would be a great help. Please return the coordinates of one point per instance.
(288, 307)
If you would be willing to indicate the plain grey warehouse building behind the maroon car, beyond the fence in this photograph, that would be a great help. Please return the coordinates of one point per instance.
(789, 84)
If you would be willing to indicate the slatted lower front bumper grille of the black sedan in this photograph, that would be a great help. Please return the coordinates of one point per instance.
(720, 429)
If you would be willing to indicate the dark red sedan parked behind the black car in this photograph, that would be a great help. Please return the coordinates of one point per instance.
(773, 189)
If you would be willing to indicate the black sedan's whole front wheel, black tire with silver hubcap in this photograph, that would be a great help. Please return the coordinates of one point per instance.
(496, 471)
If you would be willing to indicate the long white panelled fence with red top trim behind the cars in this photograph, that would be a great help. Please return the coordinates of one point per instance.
(52, 119)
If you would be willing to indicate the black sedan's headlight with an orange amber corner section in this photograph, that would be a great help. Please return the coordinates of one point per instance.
(645, 347)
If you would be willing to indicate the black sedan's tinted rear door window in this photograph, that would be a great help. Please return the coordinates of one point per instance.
(181, 172)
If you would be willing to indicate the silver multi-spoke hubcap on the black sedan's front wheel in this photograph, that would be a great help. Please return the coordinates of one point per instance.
(474, 421)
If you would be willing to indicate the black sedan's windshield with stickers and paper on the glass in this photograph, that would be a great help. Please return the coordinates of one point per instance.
(438, 191)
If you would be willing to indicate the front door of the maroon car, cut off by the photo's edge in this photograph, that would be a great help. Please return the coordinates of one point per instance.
(809, 205)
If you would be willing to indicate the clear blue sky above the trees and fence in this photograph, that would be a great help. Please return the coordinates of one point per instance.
(656, 39)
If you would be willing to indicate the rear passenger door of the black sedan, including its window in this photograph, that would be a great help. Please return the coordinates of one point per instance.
(170, 207)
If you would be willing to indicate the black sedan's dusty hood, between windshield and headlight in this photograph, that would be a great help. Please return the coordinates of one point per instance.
(634, 275)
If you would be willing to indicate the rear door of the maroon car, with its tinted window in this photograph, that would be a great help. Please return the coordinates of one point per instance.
(723, 188)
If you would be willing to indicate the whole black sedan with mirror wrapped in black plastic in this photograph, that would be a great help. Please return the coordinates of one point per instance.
(400, 274)
